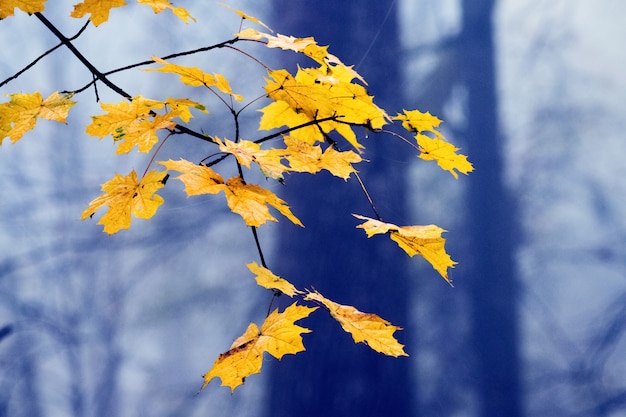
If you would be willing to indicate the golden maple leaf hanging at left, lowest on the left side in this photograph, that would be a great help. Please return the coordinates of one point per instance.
(126, 195)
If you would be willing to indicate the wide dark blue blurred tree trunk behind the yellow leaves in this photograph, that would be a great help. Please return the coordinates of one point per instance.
(335, 377)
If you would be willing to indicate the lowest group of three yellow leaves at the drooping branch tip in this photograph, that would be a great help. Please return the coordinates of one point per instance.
(279, 335)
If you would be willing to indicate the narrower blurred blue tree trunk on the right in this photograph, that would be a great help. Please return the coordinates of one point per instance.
(491, 222)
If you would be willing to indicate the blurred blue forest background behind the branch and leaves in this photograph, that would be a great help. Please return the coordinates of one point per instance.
(533, 91)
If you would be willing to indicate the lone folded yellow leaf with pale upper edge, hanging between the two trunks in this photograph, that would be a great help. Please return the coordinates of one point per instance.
(414, 240)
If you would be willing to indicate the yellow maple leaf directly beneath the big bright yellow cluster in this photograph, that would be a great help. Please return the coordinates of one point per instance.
(304, 157)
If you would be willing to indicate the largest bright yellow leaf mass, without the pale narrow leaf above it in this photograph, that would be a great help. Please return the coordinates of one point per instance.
(318, 95)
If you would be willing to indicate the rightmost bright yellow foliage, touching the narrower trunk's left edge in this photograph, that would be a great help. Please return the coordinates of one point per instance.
(435, 148)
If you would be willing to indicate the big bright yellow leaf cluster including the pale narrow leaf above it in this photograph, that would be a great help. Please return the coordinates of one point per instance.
(326, 94)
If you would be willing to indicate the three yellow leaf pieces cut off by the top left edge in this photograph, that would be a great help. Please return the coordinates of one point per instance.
(97, 9)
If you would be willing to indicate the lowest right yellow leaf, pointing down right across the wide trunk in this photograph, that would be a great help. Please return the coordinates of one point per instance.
(369, 328)
